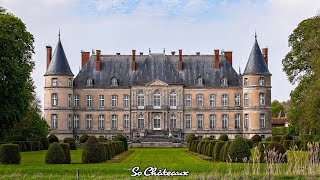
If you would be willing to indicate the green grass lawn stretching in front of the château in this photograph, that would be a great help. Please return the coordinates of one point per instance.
(173, 159)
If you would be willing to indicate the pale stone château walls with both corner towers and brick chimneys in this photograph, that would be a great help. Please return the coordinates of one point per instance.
(138, 109)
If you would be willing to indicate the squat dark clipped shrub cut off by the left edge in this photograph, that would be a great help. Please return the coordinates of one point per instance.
(10, 154)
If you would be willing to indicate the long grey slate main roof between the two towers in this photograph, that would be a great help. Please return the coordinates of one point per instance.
(152, 67)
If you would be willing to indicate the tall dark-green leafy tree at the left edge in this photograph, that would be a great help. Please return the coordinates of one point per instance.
(16, 87)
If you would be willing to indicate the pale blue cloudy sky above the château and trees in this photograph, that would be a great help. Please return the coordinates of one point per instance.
(191, 25)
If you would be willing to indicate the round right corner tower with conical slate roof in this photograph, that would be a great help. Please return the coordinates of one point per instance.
(256, 82)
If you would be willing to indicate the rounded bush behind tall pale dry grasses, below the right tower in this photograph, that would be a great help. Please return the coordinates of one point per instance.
(275, 152)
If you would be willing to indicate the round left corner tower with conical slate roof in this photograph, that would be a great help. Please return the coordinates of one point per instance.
(58, 92)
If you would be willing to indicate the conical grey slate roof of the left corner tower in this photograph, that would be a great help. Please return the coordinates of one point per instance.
(59, 64)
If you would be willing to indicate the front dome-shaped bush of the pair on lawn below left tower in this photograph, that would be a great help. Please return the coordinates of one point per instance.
(55, 154)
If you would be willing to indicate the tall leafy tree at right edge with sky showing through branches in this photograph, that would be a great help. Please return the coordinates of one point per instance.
(302, 66)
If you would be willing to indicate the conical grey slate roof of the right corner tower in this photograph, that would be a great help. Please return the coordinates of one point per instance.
(256, 64)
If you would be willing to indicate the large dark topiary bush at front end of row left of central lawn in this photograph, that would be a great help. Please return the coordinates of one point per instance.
(93, 151)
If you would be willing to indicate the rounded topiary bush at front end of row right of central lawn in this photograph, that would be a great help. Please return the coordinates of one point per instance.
(238, 150)
